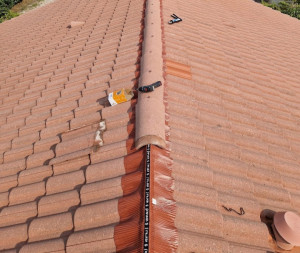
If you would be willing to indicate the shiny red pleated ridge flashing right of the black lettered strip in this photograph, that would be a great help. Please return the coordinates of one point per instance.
(163, 233)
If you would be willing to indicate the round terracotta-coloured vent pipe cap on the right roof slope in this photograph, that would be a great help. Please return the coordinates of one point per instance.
(287, 229)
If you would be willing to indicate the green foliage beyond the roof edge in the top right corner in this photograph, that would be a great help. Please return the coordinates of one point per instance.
(292, 9)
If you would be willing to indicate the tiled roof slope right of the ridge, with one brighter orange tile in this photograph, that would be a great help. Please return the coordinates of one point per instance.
(234, 114)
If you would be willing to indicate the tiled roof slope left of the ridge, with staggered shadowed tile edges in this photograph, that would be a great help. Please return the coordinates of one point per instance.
(56, 191)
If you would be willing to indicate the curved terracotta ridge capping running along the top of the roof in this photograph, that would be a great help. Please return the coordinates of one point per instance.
(150, 118)
